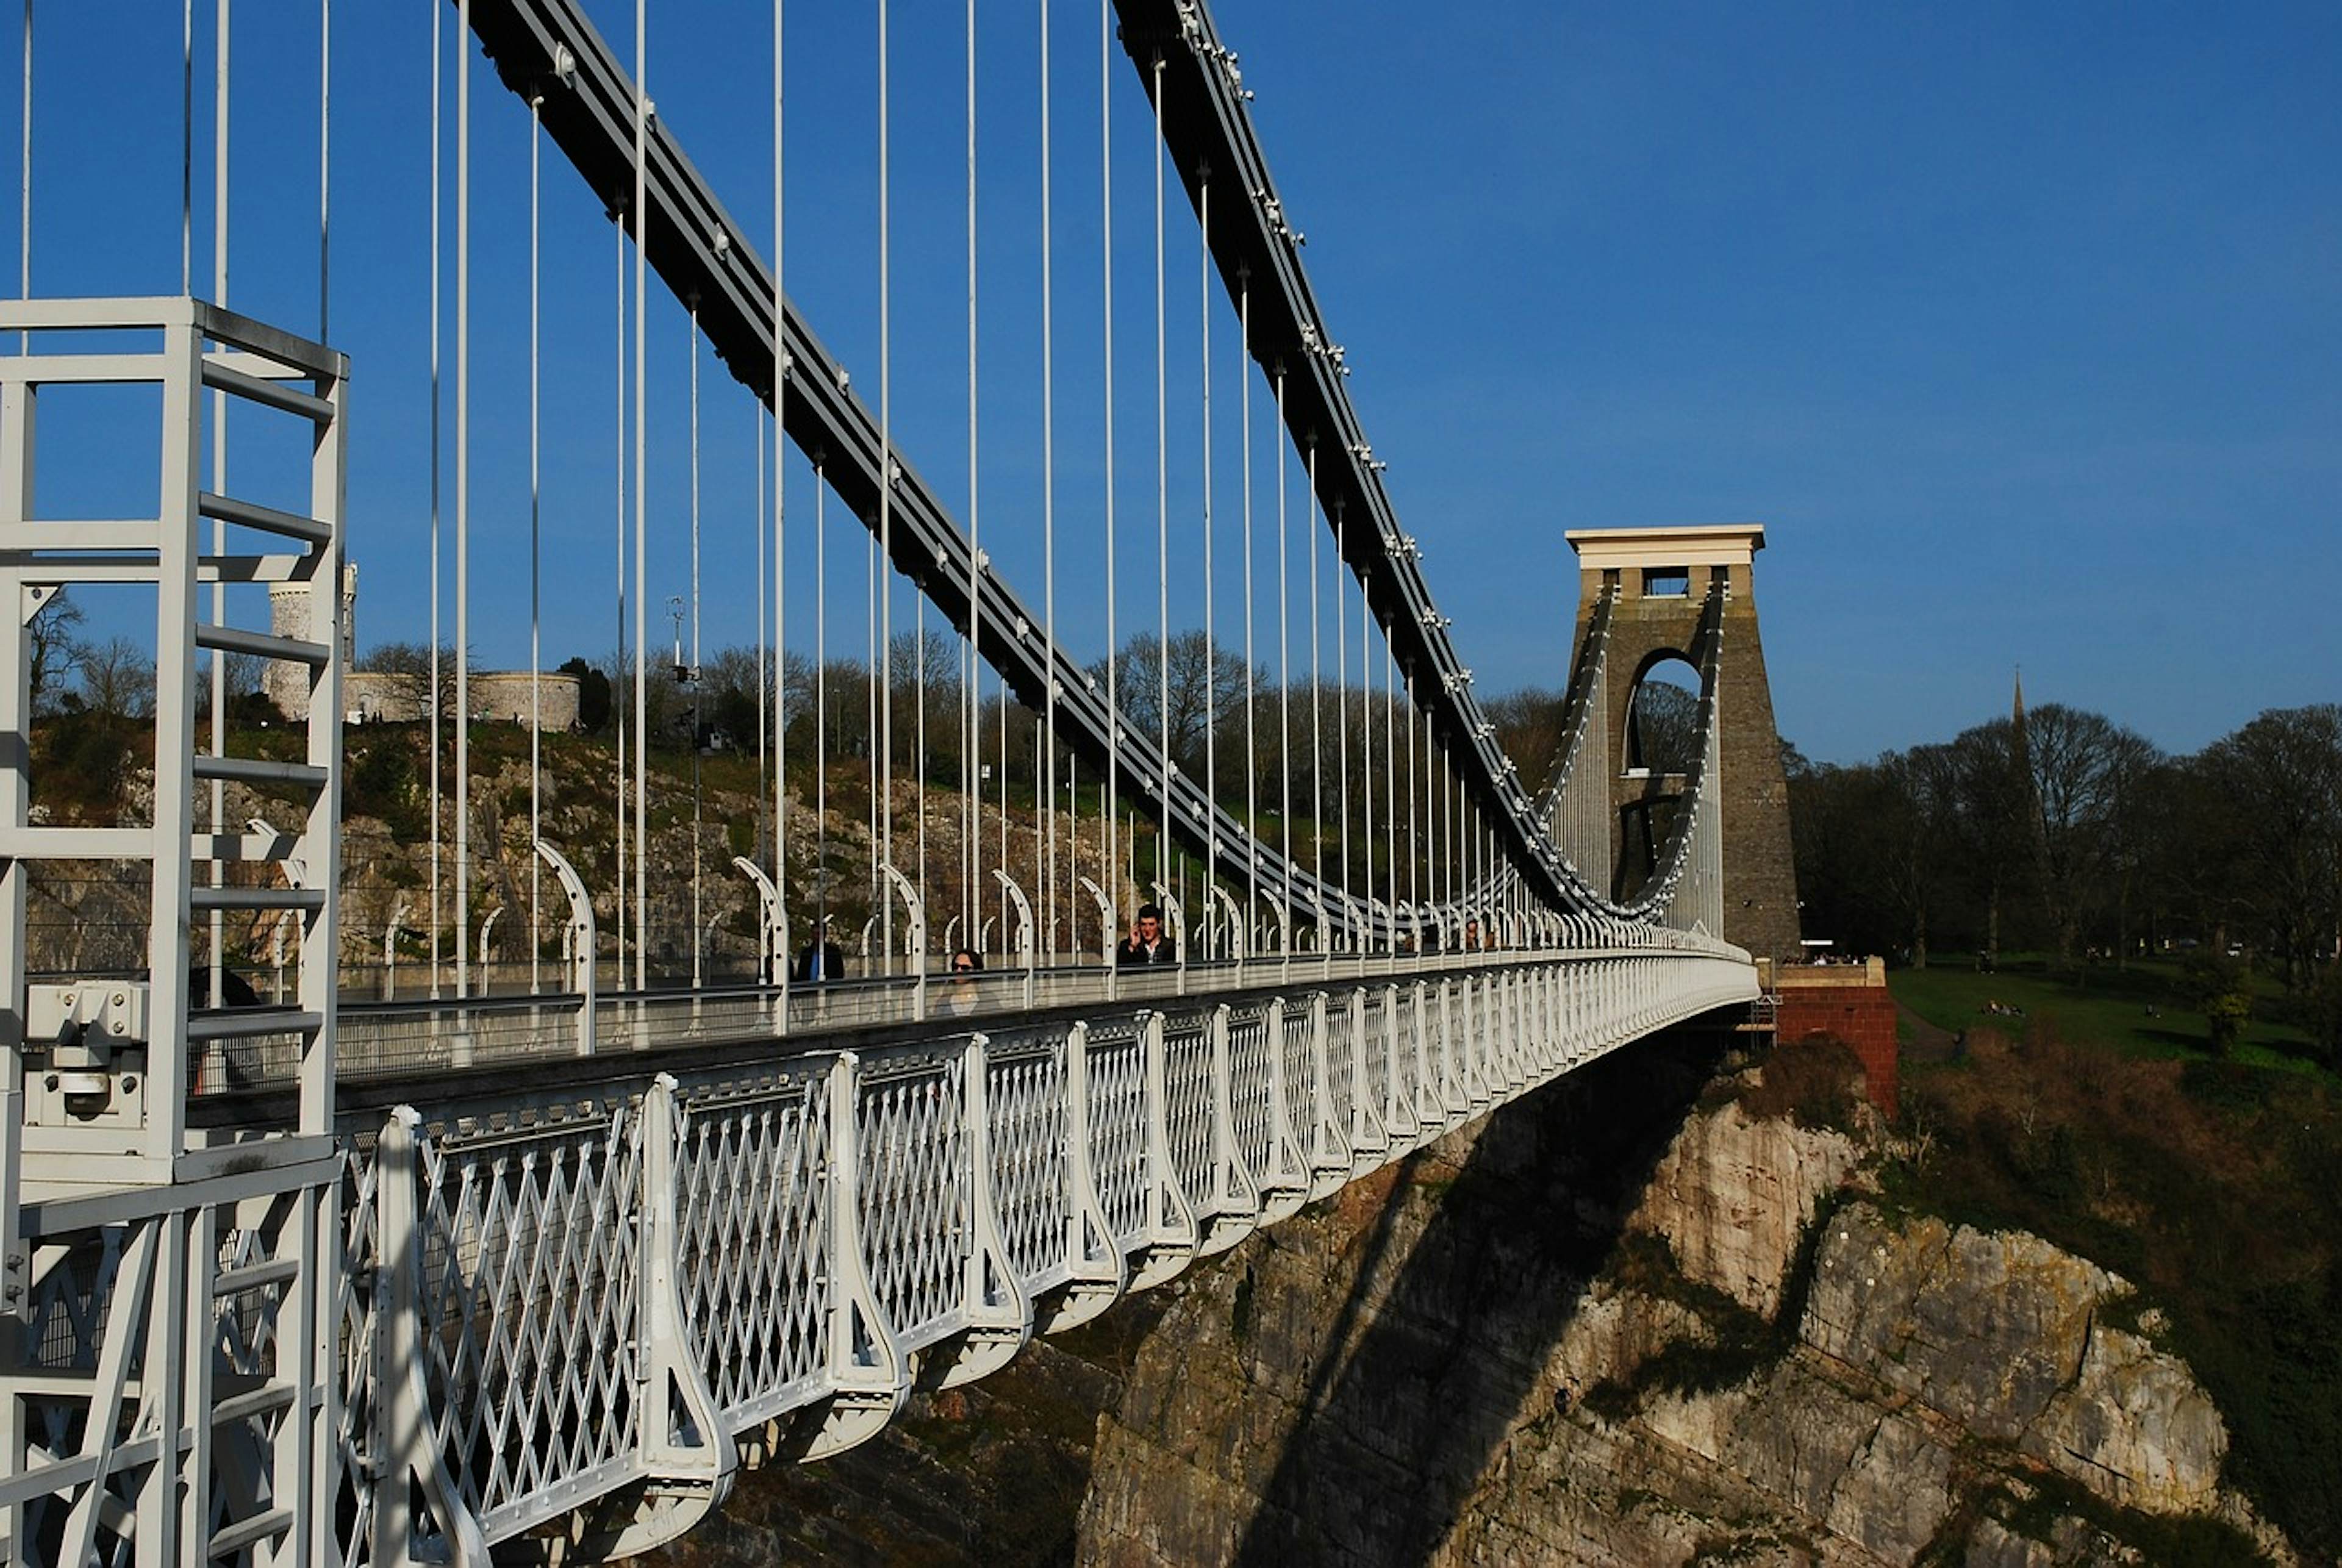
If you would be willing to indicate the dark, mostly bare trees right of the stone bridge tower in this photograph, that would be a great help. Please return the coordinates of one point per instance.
(2067, 832)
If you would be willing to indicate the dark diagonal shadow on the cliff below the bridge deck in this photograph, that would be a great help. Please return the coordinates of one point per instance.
(1397, 1433)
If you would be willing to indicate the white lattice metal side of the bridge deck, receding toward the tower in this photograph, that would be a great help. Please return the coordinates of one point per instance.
(601, 1302)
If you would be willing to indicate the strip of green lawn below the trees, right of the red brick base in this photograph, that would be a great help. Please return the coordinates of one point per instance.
(2104, 1005)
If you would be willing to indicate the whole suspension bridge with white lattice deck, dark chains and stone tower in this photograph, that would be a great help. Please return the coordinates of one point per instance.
(301, 1265)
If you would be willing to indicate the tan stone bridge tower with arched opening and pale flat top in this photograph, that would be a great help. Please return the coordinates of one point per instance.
(1662, 582)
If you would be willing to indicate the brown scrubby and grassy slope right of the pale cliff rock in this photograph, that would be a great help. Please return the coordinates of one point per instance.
(2217, 1188)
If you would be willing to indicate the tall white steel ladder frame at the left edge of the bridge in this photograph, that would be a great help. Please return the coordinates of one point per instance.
(172, 1298)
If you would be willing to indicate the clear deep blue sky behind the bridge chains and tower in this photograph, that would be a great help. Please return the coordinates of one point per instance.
(2018, 326)
